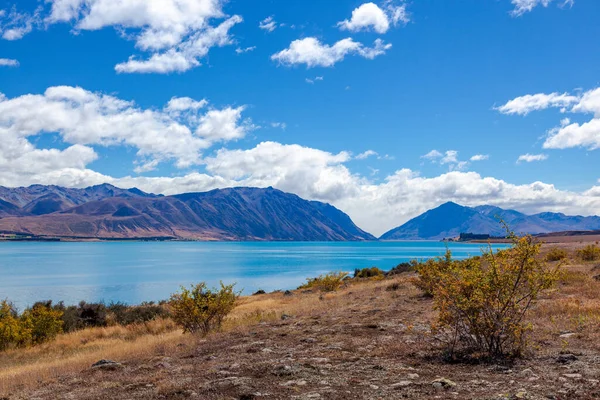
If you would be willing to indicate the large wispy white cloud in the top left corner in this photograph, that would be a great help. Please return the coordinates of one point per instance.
(176, 34)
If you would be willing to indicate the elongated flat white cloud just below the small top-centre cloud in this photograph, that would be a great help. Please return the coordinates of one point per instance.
(313, 53)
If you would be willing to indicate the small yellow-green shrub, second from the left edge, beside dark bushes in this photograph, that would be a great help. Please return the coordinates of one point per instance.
(43, 321)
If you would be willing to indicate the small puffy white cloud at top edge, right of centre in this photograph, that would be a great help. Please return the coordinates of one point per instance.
(369, 16)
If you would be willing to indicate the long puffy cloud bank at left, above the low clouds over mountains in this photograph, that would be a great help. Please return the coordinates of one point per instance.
(83, 118)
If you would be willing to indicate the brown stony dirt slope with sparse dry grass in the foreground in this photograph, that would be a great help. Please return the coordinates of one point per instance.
(367, 341)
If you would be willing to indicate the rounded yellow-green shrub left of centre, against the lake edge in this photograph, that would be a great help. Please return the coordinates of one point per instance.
(202, 310)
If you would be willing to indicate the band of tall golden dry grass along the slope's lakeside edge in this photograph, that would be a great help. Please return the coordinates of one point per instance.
(74, 352)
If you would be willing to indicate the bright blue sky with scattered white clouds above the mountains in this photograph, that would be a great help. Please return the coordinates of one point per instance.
(384, 109)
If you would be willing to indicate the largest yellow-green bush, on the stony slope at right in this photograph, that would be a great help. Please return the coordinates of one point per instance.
(482, 301)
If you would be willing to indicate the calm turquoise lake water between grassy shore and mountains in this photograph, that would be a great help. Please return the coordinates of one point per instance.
(133, 272)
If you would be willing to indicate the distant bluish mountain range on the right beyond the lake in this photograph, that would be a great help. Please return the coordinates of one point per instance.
(450, 220)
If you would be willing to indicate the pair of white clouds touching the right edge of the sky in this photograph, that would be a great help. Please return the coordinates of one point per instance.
(567, 134)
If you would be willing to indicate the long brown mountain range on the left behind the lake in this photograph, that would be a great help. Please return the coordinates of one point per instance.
(108, 212)
